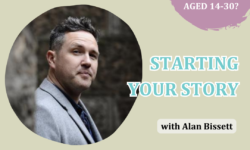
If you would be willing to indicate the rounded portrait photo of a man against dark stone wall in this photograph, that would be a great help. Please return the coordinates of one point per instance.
(67, 73)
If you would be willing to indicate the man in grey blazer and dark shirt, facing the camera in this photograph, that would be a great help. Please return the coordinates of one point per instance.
(73, 60)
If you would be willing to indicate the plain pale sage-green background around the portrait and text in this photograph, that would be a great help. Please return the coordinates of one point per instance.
(160, 30)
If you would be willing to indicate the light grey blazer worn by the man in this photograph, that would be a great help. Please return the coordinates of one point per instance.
(57, 120)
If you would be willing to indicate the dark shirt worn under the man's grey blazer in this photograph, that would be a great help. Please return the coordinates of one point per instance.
(82, 114)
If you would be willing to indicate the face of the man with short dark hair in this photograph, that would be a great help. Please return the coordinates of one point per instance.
(77, 61)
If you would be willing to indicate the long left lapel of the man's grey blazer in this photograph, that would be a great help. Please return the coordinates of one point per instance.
(63, 101)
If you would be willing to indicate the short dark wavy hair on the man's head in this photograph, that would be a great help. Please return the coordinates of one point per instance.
(70, 25)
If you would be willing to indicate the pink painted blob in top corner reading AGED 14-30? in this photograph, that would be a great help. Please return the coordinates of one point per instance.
(213, 14)
